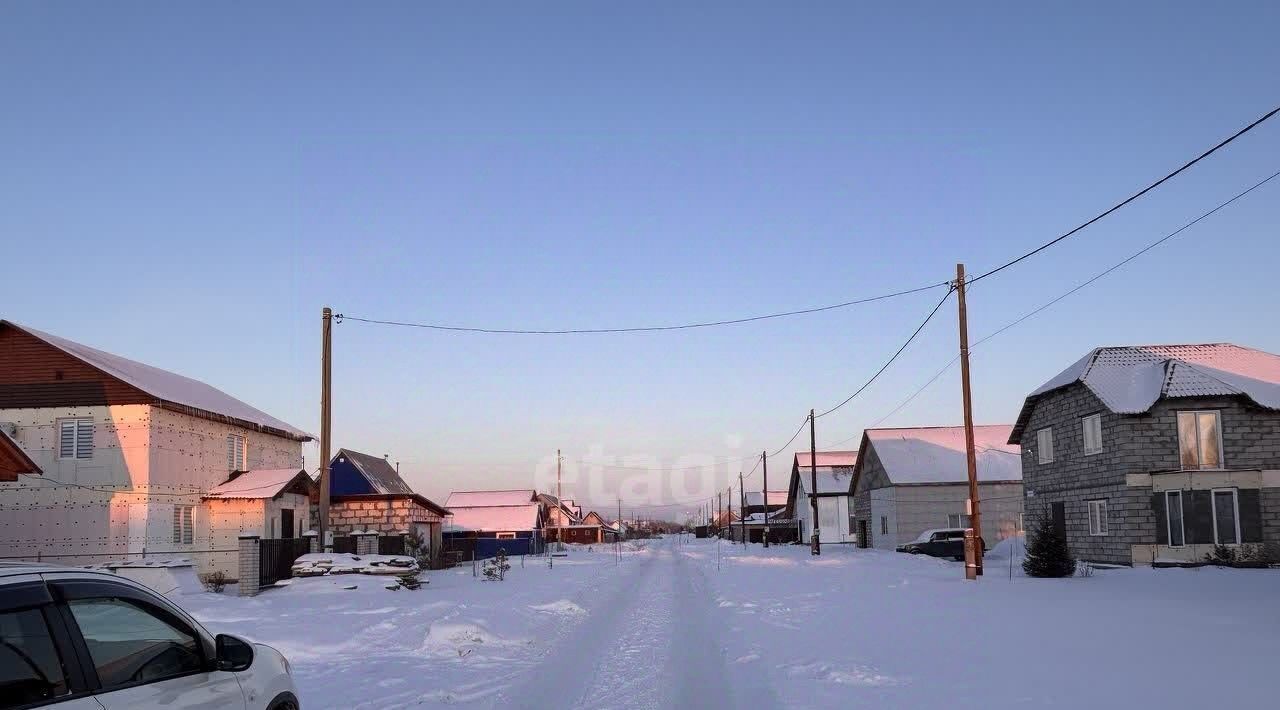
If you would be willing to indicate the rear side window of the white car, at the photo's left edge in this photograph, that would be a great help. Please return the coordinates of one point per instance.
(30, 668)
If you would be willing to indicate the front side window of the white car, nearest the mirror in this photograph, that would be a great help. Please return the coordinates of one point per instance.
(130, 644)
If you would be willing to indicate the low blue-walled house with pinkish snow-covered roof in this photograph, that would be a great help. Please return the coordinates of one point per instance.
(483, 523)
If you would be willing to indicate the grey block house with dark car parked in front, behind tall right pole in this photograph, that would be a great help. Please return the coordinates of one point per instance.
(912, 480)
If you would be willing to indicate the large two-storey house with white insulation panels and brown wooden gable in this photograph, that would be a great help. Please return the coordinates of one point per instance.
(127, 451)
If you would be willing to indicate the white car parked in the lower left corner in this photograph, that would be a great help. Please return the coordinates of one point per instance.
(84, 640)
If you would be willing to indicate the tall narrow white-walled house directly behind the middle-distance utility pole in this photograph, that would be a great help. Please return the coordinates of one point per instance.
(835, 471)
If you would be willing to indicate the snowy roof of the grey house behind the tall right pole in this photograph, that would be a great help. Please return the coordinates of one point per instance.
(936, 455)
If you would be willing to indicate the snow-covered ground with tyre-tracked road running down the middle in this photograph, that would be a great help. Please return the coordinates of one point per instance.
(700, 624)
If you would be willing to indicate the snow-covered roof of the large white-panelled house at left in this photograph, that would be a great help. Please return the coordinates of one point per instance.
(168, 387)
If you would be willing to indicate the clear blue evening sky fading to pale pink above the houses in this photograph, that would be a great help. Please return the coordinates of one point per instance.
(189, 185)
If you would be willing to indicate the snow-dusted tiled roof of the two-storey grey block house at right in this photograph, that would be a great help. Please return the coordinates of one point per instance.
(1131, 379)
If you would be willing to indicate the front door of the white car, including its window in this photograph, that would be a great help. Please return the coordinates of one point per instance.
(144, 653)
